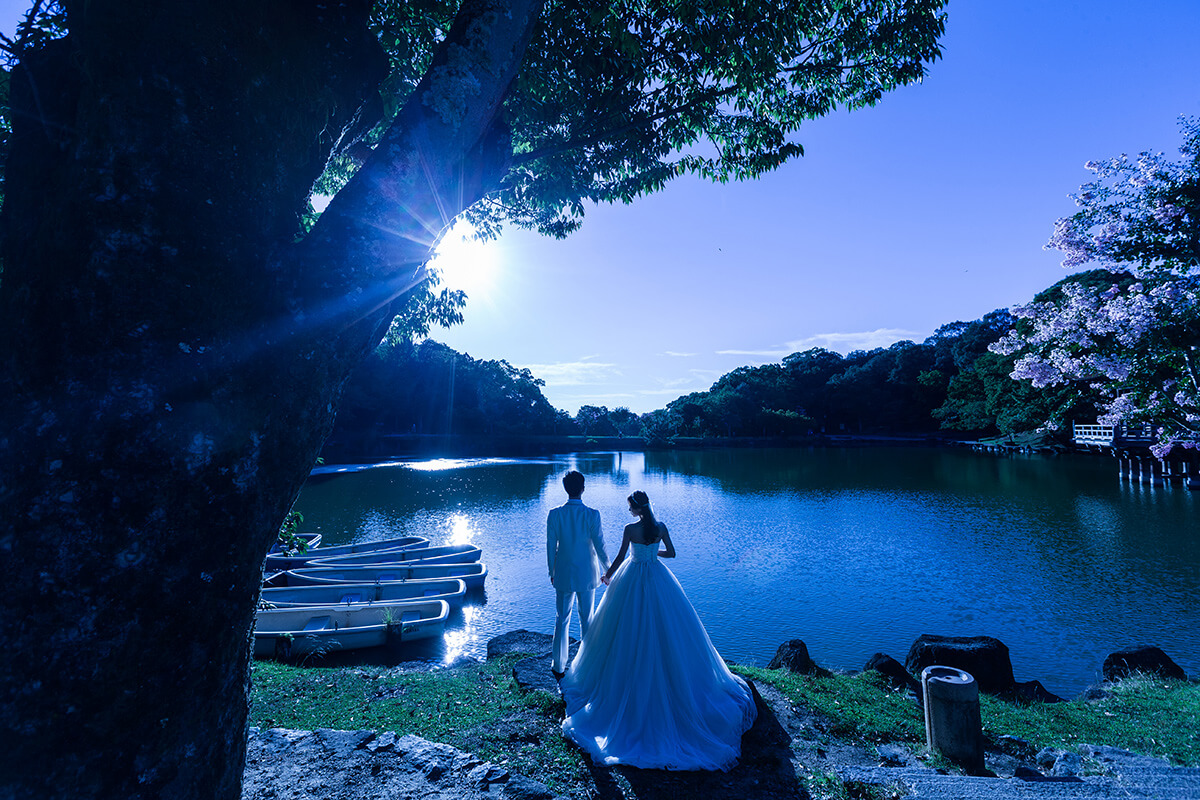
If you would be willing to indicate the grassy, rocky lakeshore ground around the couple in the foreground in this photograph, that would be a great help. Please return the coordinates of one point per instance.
(827, 737)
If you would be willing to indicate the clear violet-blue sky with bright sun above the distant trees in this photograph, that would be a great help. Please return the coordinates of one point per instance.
(931, 208)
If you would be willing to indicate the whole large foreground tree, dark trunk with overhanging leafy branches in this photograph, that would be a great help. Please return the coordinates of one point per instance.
(176, 329)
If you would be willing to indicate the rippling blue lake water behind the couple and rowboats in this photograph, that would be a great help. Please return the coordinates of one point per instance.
(854, 551)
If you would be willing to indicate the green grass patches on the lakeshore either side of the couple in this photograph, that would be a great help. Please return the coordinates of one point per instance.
(482, 711)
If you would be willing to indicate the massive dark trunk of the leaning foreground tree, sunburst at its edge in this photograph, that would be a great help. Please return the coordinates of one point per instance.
(173, 354)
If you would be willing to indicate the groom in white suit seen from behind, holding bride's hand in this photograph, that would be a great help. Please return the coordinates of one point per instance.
(577, 560)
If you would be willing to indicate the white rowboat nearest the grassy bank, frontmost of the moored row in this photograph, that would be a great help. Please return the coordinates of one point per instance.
(289, 633)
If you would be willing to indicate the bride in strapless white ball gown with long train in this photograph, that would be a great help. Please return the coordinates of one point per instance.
(647, 688)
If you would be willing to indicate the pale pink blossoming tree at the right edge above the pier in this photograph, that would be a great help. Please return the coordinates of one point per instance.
(1136, 336)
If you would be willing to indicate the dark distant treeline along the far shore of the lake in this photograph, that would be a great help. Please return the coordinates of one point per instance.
(951, 382)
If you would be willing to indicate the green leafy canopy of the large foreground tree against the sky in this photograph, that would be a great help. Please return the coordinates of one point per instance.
(615, 100)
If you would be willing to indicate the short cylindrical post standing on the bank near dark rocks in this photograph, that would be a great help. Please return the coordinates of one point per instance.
(952, 715)
